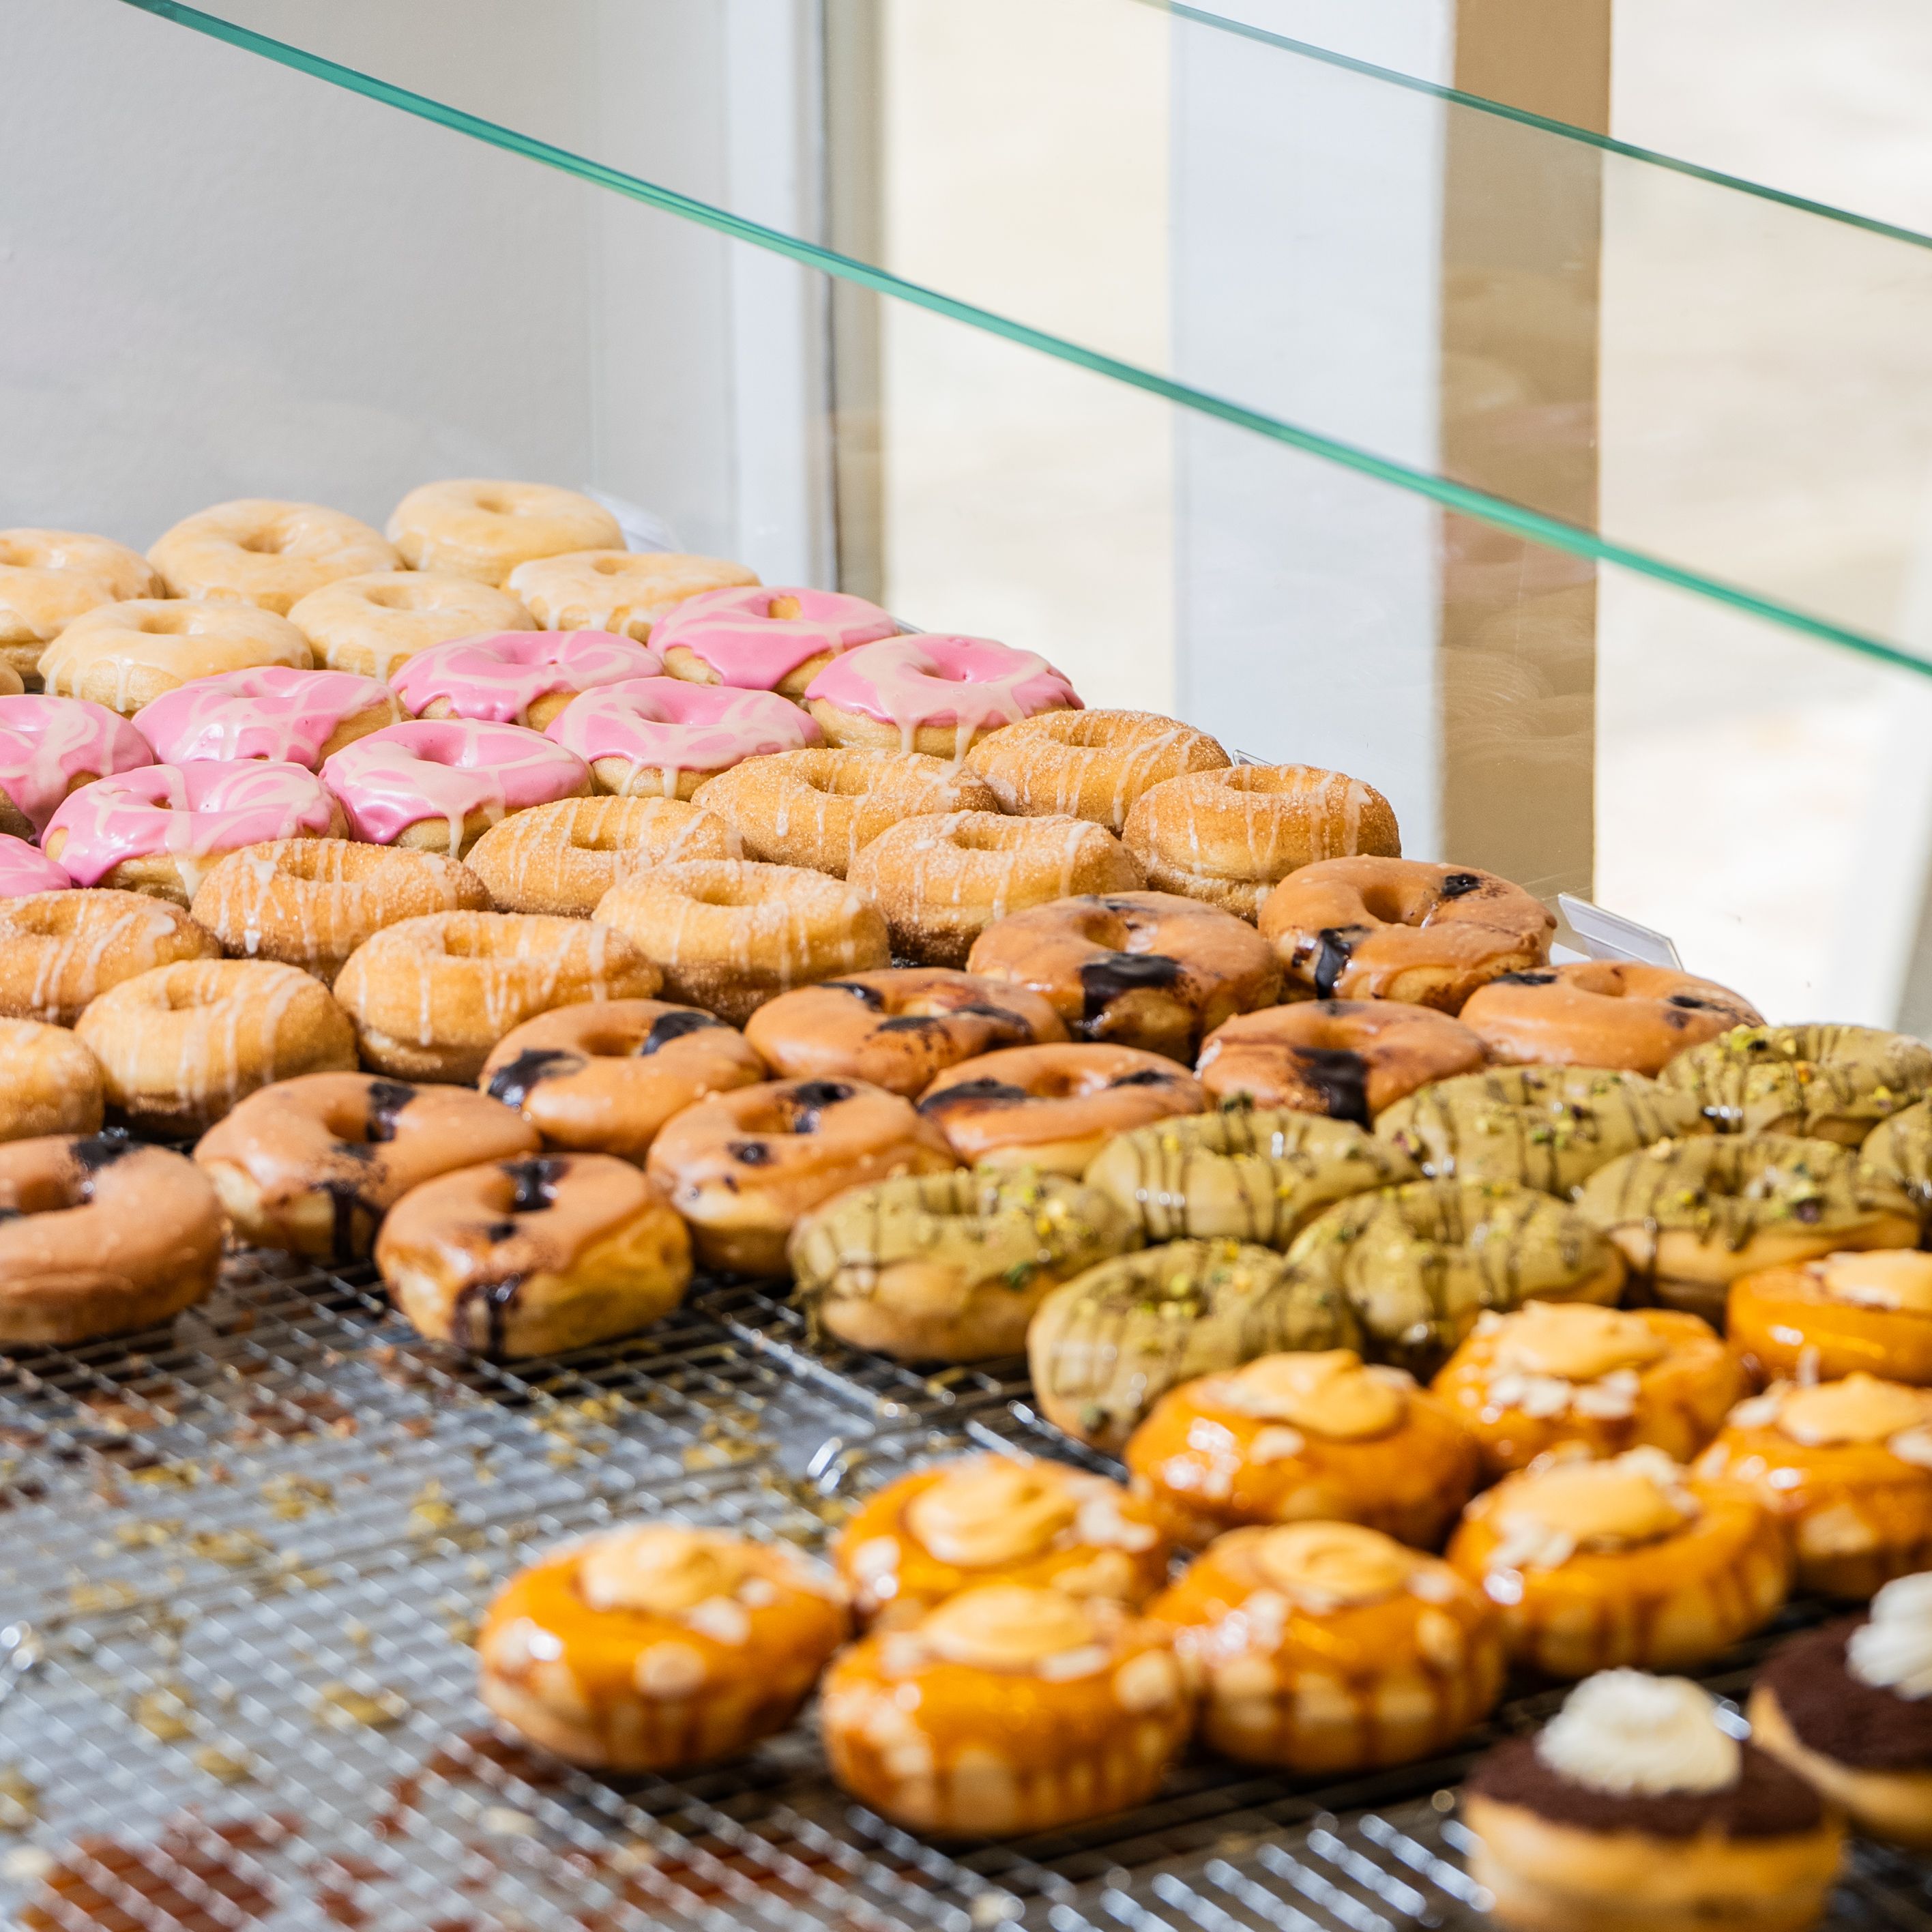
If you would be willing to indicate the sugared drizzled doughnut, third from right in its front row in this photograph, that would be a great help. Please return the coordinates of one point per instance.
(731, 934)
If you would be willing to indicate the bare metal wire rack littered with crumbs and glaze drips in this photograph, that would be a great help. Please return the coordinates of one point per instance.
(241, 1564)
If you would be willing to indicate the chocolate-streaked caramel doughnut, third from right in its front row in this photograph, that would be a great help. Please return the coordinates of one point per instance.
(1054, 1108)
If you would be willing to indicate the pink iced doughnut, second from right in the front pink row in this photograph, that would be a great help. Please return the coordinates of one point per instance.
(664, 737)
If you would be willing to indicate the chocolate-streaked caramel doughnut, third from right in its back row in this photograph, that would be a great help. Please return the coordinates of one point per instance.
(897, 1029)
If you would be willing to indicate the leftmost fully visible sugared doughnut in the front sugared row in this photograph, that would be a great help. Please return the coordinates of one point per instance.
(179, 1046)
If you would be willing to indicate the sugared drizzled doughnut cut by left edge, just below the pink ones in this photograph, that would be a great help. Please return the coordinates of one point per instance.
(59, 952)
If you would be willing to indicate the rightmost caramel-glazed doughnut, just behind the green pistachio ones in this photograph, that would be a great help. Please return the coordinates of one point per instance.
(1601, 1013)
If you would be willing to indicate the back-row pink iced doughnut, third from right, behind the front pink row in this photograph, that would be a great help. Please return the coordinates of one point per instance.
(293, 718)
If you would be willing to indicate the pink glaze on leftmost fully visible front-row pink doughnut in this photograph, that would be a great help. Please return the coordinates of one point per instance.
(190, 812)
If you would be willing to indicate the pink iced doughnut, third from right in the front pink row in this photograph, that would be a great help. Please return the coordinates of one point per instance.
(441, 783)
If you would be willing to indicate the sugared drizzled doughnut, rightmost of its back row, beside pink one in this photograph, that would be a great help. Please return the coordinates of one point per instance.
(1091, 764)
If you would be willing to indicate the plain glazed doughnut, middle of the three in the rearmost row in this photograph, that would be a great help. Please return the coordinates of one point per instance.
(266, 554)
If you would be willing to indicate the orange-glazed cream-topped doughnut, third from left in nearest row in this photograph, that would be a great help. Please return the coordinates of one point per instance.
(1328, 1649)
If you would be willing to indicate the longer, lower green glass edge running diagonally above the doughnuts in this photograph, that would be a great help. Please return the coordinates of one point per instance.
(1496, 511)
